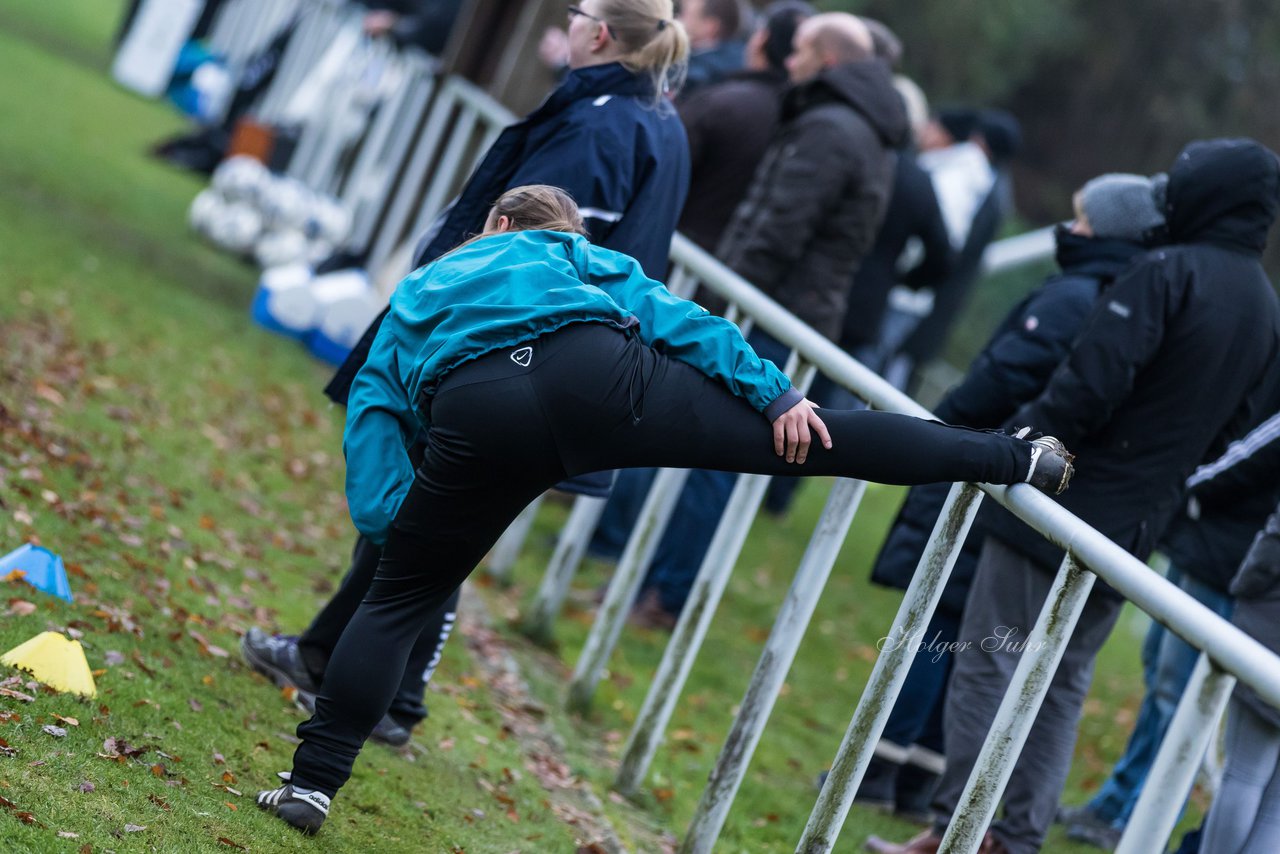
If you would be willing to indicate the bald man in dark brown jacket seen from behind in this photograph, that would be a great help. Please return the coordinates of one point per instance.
(819, 198)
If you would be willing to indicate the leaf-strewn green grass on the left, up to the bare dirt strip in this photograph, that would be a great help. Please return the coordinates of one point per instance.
(188, 469)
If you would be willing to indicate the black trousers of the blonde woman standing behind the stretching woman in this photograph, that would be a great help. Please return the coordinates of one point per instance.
(319, 641)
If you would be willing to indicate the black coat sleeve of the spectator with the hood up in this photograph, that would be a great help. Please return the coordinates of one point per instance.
(1121, 339)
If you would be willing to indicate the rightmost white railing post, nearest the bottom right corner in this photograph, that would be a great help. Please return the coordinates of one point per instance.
(1194, 727)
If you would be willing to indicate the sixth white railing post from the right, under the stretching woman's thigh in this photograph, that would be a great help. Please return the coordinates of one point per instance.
(627, 583)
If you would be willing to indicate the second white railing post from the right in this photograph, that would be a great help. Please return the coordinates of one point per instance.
(1044, 651)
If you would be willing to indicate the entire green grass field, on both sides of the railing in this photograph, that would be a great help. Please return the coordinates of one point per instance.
(186, 467)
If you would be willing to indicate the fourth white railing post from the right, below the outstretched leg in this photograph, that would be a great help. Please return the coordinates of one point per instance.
(772, 669)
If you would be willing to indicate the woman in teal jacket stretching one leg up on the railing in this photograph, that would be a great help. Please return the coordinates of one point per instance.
(529, 357)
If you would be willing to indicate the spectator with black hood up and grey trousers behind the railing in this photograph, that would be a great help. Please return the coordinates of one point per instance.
(1173, 363)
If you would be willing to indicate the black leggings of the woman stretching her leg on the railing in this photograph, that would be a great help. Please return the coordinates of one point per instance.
(589, 399)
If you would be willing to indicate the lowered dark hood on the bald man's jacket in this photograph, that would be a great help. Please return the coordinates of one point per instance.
(868, 88)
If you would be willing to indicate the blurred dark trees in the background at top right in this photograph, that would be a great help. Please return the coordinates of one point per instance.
(1099, 86)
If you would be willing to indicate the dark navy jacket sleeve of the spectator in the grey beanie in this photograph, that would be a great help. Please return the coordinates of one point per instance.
(1017, 364)
